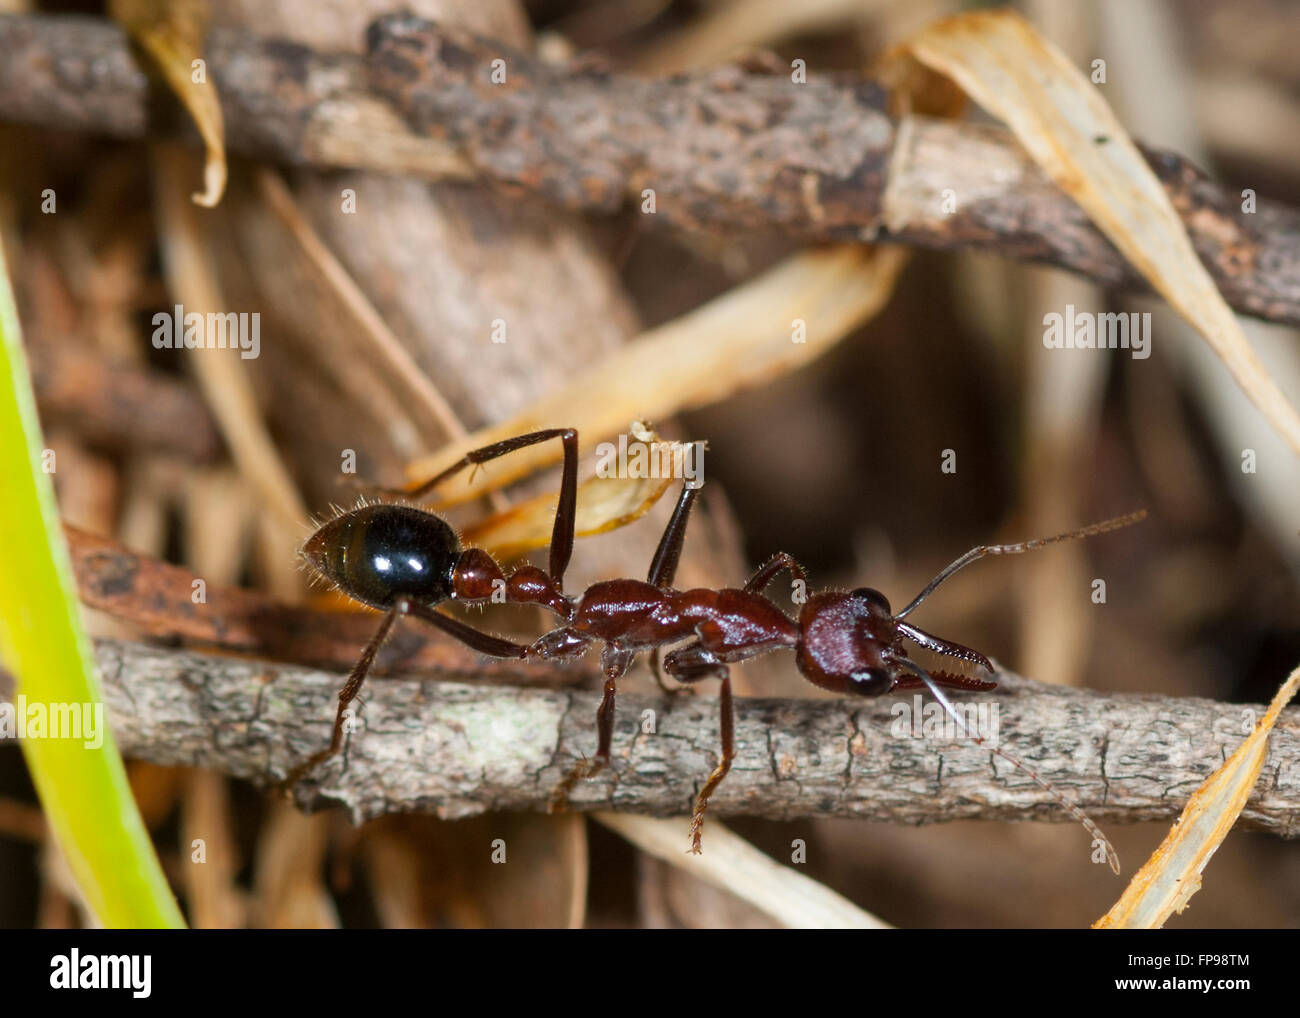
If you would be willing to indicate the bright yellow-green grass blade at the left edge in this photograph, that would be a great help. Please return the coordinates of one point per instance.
(85, 792)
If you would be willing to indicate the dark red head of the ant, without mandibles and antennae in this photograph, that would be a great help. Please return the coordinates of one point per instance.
(850, 643)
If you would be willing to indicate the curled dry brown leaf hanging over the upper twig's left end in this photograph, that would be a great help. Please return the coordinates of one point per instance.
(172, 32)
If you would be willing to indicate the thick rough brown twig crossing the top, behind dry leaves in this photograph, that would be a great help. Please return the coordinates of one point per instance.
(725, 150)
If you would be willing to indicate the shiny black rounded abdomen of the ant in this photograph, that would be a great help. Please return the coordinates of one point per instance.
(379, 553)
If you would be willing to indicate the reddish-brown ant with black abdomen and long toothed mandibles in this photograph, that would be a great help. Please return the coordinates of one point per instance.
(405, 561)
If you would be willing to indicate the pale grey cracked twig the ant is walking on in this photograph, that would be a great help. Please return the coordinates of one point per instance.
(458, 750)
